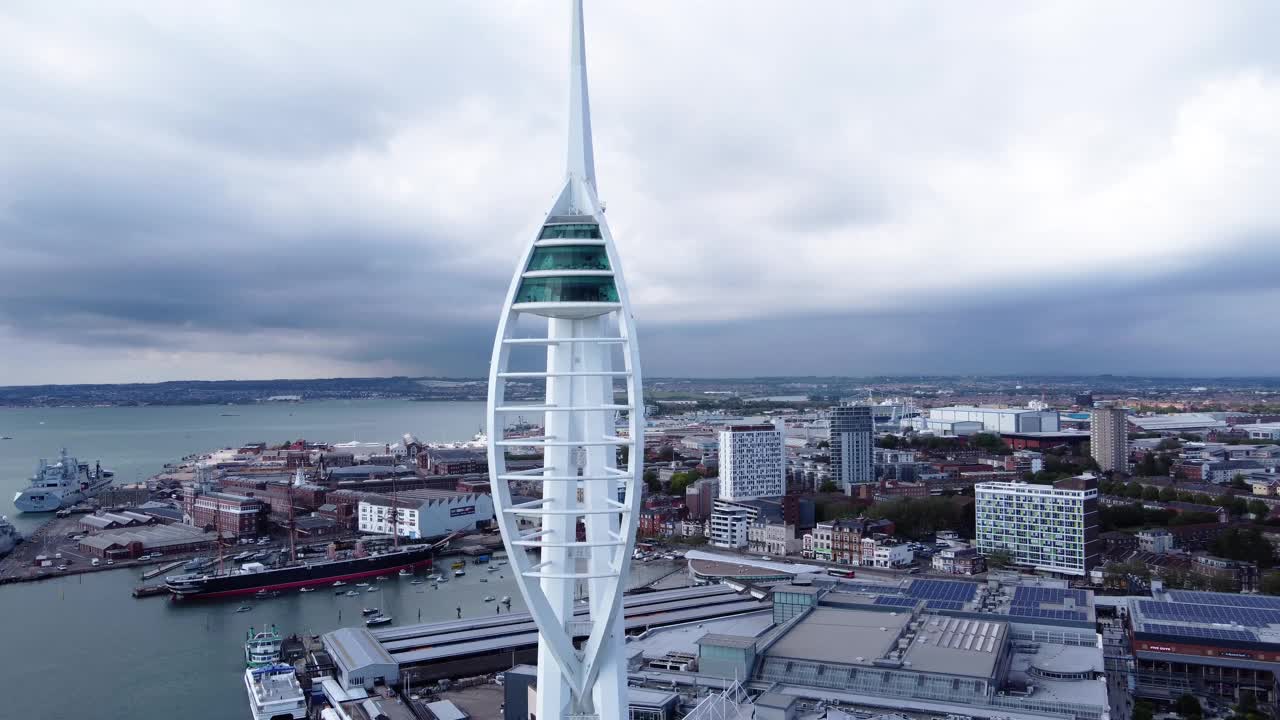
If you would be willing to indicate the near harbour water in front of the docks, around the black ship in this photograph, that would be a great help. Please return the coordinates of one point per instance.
(83, 644)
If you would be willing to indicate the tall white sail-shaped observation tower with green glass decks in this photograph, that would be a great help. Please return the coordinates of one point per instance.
(583, 526)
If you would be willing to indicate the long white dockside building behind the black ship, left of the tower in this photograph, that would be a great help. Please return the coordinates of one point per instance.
(426, 513)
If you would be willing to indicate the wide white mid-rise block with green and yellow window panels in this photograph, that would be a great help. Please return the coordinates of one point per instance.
(1052, 528)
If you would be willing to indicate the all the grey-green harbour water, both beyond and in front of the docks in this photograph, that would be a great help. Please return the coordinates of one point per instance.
(83, 646)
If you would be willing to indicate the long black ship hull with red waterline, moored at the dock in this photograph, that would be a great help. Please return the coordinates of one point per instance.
(309, 575)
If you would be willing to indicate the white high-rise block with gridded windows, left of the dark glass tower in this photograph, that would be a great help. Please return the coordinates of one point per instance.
(753, 463)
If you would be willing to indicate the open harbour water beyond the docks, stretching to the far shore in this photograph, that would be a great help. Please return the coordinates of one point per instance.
(136, 443)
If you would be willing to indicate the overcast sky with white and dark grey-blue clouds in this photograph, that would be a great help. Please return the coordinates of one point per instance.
(260, 190)
